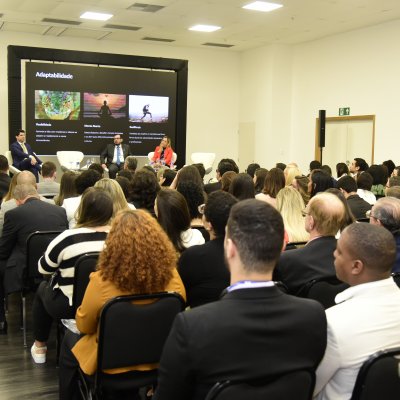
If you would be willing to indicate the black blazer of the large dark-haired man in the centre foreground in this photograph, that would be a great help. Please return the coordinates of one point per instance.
(248, 334)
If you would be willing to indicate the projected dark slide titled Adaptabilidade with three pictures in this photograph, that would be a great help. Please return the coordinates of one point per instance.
(76, 107)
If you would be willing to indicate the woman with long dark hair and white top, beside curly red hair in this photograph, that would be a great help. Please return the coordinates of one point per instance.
(173, 215)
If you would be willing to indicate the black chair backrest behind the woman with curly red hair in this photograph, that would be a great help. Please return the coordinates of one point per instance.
(132, 333)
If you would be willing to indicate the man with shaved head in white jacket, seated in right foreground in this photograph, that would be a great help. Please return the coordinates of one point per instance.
(366, 318)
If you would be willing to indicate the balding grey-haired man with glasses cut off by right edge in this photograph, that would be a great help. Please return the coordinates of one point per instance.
(386, 213)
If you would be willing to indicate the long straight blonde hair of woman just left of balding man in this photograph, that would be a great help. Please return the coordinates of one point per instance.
(290, 204)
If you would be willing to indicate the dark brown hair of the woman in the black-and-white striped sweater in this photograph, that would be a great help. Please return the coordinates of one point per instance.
(95, 208)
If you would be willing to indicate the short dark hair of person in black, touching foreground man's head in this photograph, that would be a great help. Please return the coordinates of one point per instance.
(217, 209)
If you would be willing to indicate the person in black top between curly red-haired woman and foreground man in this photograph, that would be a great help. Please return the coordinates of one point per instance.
(202, 268)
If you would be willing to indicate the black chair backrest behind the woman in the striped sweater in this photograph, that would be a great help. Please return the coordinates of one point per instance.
(85, 265)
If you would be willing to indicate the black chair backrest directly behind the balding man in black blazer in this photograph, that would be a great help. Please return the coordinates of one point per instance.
(323, 290)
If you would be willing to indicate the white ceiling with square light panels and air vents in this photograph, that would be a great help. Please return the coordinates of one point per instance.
(298, 21)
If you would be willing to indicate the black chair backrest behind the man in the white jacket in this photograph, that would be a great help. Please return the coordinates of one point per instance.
(379, 377)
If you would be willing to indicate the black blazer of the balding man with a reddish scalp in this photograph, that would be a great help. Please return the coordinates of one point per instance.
(313, 261)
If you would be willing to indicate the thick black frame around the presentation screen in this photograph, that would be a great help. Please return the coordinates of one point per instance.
(16, 54)
